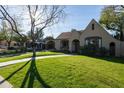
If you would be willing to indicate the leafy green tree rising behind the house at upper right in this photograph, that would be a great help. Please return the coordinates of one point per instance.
(112, 17)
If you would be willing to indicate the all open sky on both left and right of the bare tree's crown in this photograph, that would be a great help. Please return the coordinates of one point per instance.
(77, 17)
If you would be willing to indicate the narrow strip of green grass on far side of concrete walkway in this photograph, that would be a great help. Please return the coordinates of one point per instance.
(27, 55)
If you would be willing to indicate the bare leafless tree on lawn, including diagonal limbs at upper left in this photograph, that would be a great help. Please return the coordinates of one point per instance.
(40, 17)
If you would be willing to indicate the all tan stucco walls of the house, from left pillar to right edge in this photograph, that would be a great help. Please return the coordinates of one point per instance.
(99, 32)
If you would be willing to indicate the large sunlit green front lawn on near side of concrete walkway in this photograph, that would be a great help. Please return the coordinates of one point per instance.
(70, 72)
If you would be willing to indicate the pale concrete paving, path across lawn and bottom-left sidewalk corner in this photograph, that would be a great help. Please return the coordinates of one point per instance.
(6, 84)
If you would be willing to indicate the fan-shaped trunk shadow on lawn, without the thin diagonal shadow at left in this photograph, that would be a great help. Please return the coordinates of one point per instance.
(32, 75)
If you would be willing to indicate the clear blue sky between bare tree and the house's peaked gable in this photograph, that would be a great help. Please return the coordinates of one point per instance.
(77, 17)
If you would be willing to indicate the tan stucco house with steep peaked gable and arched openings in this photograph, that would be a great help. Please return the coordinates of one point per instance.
(93, 34)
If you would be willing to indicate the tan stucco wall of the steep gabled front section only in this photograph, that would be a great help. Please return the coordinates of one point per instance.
(100, 32)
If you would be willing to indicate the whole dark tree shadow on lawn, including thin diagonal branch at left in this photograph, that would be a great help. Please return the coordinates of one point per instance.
(31, 75)
